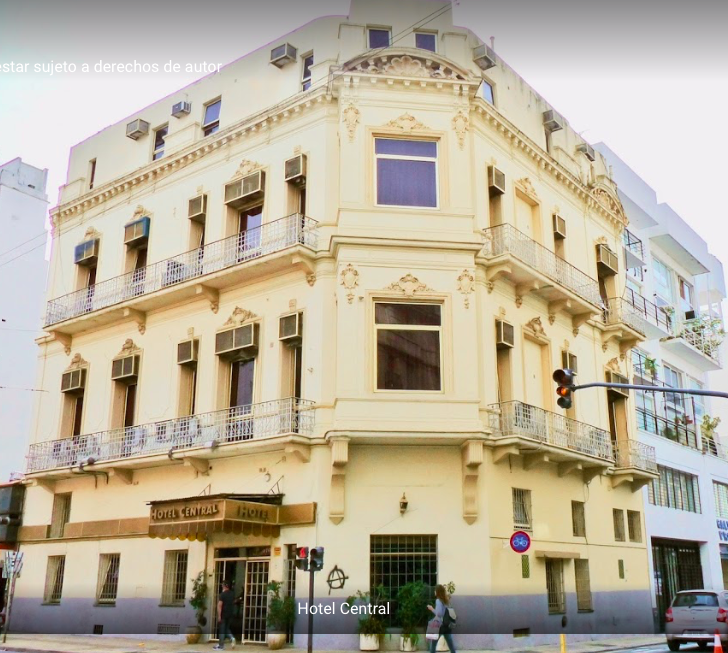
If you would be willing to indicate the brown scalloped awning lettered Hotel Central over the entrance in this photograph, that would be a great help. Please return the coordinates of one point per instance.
(197, 517)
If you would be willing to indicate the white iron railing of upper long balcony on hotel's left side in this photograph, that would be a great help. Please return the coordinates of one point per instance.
(244, 246)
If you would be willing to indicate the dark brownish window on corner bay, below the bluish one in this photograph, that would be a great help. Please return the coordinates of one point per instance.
(408, 346)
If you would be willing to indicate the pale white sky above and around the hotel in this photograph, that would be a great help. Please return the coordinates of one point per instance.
(648, 78)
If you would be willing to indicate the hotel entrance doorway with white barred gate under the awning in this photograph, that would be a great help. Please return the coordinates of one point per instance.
(246, 569)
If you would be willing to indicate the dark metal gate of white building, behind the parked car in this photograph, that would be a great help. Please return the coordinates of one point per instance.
(677, 567)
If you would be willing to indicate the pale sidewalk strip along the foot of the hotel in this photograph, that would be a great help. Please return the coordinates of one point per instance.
(99, 644)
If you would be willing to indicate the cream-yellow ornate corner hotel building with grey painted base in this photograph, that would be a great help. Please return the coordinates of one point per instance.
(327, 312)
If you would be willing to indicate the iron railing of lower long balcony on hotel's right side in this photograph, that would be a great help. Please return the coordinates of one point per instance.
(513, 418)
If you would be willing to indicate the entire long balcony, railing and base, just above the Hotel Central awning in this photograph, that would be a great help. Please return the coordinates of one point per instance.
(192, 440)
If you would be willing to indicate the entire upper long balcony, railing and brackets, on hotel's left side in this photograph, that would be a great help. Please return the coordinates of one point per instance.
(274, 246)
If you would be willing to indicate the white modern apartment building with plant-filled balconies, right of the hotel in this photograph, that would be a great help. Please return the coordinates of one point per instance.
(673, 276)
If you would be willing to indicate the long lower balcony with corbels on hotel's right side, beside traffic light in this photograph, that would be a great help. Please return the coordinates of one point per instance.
(542, 437)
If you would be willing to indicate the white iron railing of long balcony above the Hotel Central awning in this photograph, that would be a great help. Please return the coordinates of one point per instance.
(237, 424)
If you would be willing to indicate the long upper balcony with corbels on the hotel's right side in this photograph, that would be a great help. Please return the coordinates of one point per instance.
(510, 254)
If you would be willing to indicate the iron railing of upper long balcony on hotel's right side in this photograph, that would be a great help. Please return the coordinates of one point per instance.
(506, 239)
